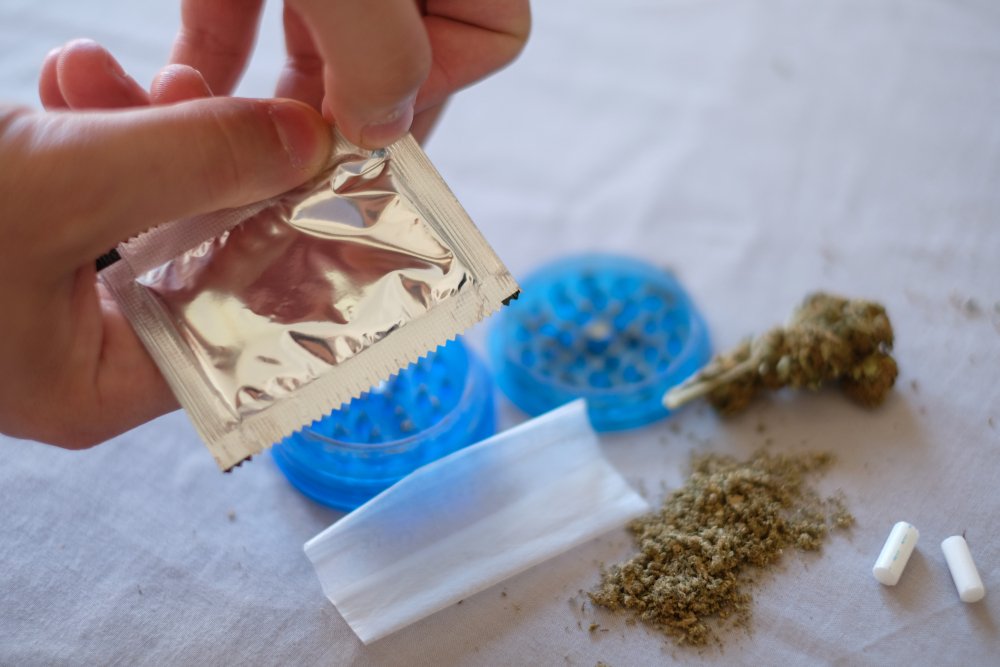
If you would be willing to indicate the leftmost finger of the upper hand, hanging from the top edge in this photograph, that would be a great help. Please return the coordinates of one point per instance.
(216, 38)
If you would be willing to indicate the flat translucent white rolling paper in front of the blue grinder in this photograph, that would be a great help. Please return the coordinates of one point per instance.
(463, 523)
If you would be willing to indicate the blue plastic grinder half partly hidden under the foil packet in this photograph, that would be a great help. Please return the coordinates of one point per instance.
(430, 409)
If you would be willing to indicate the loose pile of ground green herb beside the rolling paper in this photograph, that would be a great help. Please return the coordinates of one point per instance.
(697, 554)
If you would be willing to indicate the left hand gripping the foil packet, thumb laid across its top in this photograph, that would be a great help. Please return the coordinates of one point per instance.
(75, 183)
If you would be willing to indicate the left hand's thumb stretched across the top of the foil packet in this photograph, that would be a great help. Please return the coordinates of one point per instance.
(101, 178)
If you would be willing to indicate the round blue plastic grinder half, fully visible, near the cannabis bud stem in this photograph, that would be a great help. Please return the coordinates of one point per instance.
(613, 330)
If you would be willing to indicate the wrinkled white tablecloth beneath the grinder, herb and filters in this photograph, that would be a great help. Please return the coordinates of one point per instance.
(763, 149)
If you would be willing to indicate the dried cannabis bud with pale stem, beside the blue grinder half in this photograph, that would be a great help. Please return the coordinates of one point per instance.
(829, 339)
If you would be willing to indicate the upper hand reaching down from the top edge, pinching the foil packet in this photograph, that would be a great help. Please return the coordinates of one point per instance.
(371, 66)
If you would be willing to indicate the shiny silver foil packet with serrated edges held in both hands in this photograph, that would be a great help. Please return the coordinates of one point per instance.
(265, 318)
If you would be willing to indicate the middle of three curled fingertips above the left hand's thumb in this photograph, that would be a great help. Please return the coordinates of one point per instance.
(90, 78)
